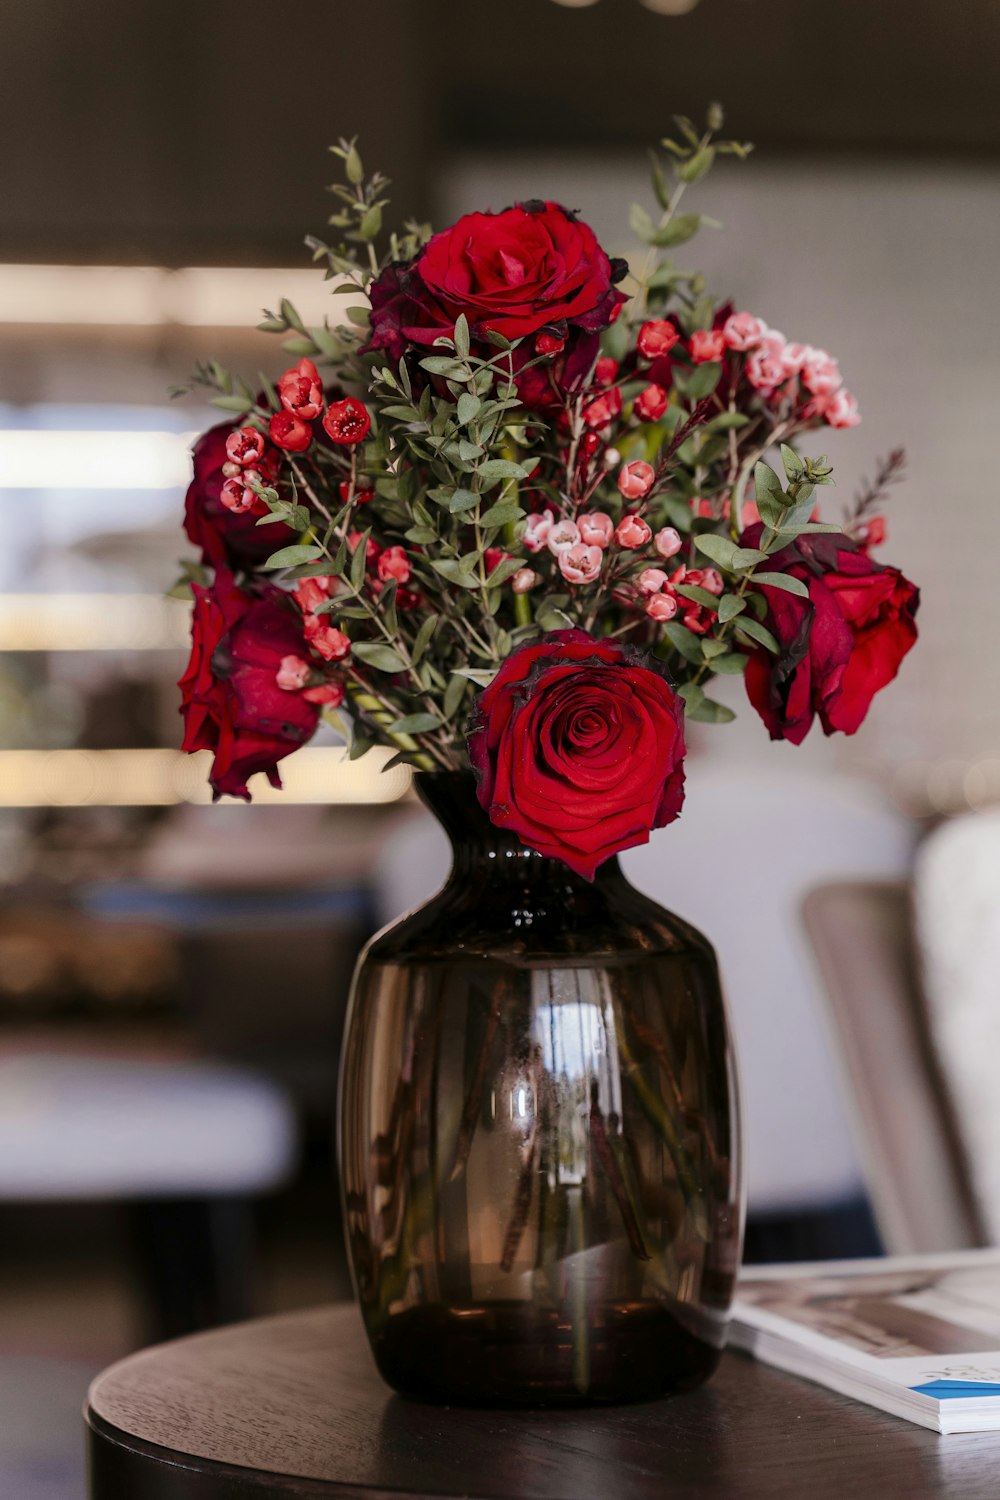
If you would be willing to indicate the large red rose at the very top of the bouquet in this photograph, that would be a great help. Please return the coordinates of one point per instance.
(534, 266)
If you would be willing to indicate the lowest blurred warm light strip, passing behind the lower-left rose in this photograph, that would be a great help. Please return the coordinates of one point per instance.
(164, 778)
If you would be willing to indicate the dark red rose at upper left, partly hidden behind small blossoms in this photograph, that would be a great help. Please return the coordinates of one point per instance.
(224, 536)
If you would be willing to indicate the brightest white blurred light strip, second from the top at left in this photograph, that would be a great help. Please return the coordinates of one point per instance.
(58, 460)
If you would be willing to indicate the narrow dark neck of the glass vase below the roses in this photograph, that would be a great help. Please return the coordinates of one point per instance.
(485, 854)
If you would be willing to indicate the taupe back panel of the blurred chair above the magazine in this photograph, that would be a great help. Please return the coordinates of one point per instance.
(915, 1168)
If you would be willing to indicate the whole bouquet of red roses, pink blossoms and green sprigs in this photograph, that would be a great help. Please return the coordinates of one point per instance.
(506, 476)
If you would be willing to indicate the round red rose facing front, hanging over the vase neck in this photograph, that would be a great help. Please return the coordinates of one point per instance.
(579, 749)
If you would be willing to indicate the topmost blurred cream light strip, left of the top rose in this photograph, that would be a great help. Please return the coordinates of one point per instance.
(152, 296)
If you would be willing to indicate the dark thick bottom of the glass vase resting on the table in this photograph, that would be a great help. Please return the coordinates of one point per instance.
(518, 1355)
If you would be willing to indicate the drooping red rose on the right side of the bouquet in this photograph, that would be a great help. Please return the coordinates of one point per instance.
(839, 647)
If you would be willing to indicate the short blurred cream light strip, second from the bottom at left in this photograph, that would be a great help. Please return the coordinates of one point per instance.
(92, 623)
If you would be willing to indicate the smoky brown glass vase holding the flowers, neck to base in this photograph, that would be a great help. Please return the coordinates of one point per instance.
(539, 1135)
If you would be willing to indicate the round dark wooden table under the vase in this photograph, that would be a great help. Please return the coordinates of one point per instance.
(293, 1406)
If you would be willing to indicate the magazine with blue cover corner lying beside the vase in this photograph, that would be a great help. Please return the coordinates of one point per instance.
(917, 1336)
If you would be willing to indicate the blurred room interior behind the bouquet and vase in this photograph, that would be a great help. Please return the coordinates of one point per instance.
(173, 976)
